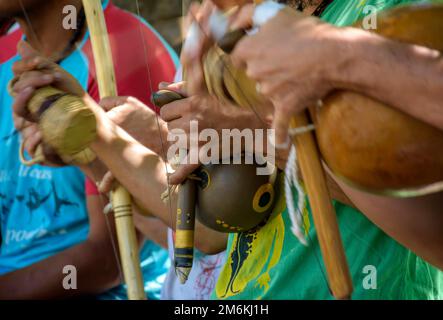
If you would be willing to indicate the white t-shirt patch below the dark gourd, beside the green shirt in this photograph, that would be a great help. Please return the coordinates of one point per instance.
(201, 280)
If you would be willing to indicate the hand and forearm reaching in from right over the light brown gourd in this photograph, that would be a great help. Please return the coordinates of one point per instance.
(299, 60)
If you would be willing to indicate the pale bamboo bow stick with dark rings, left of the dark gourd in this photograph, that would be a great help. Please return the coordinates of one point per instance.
(121, 199)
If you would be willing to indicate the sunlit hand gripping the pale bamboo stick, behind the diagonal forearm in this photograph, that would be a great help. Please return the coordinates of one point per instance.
(139, 121)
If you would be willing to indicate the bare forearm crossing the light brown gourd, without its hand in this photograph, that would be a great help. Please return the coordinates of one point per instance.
(407, 77)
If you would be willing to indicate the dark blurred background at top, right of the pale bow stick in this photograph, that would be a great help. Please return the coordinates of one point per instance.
(164, 15)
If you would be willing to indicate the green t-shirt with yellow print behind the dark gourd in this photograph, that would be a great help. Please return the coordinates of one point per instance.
(270, 263)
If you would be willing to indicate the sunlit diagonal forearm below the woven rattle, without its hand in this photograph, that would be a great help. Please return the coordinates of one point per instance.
(143, 173)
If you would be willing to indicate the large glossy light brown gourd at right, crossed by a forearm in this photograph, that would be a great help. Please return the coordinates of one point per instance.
(378, 148)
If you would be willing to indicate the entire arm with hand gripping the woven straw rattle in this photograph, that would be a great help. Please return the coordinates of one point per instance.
(138, 168)
